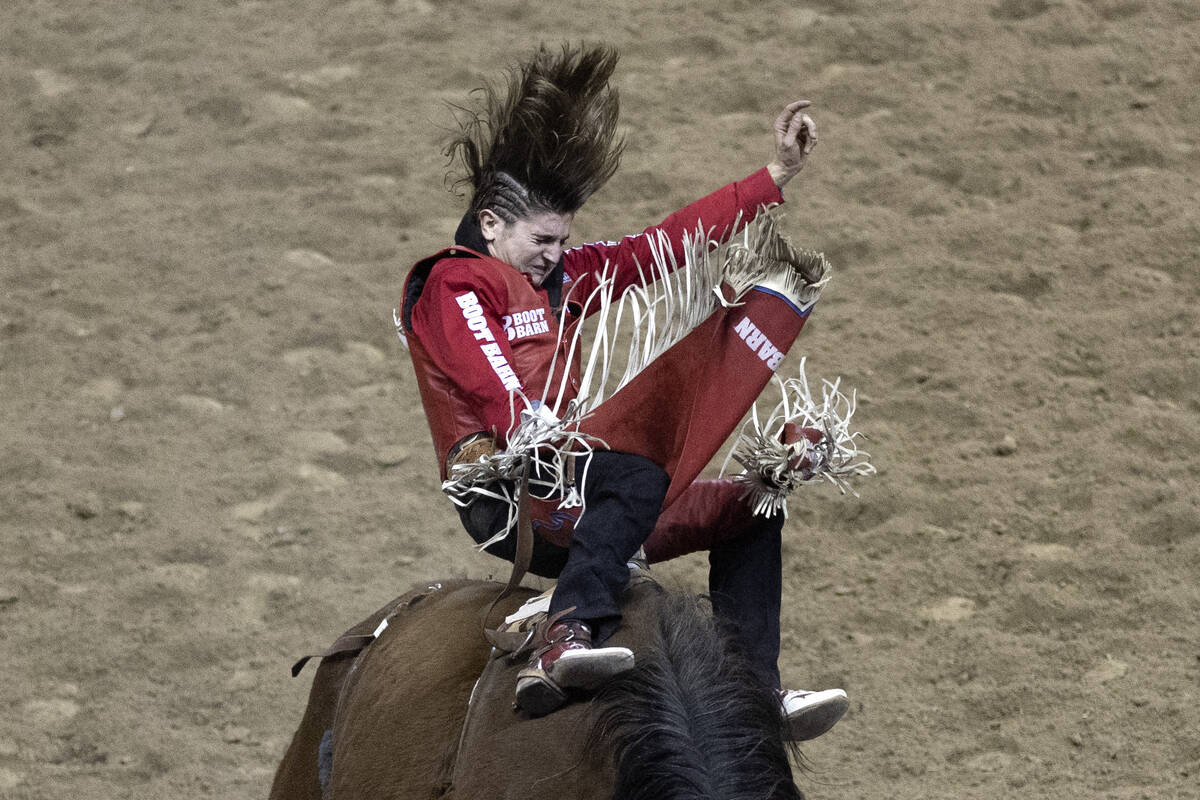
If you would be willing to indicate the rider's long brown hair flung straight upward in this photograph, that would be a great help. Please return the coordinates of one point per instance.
(545, 140)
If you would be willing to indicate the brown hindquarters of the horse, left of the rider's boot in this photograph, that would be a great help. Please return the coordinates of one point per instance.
(407, 696)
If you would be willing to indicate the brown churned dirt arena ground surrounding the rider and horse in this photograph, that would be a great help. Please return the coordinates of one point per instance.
(214, 456)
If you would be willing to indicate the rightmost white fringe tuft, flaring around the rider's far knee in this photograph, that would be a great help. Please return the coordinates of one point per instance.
(766, 474)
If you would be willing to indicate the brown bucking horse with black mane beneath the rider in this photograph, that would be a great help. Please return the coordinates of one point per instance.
(401, 719)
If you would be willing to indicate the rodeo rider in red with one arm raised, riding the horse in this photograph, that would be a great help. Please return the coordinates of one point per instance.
(484, 323)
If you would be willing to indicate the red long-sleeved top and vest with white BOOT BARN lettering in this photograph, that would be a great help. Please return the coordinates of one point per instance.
(478, 329)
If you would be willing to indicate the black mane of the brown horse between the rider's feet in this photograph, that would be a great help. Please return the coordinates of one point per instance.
(692, 723)
